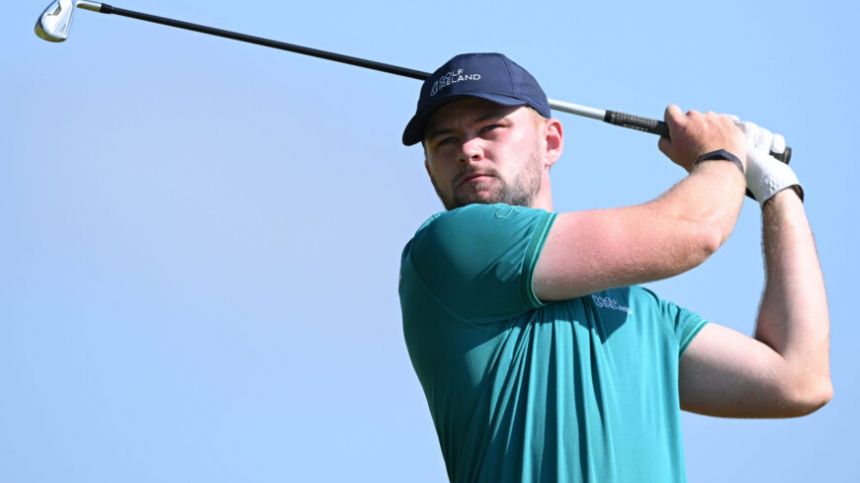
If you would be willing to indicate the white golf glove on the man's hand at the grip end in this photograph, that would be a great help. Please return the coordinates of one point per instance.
(766, 175)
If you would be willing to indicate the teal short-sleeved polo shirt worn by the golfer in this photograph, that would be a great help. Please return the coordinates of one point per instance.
(579, 390)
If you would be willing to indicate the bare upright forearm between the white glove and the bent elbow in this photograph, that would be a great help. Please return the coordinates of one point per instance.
(793, 318)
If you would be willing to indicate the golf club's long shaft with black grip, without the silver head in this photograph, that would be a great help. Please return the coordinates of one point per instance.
(613, 117)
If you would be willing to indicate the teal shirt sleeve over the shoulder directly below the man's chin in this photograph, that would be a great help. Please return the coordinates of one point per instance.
(478, 260)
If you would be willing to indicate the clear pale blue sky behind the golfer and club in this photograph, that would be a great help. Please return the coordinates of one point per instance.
(200, 239)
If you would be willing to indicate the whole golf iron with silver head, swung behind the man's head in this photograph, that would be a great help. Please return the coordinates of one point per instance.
(54, 23)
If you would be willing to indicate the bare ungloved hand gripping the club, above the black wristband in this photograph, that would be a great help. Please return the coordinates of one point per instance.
(694, 134)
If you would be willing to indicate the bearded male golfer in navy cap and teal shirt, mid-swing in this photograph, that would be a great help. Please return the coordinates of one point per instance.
(540, 356)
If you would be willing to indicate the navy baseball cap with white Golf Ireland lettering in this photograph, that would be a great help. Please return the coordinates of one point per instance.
(493, 77)
